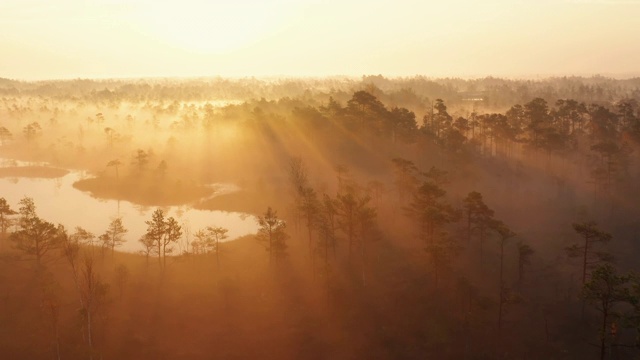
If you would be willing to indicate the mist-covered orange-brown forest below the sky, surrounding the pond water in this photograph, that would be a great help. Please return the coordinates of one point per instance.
(398, 218)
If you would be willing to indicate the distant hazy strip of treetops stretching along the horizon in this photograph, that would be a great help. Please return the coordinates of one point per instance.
(497, 92)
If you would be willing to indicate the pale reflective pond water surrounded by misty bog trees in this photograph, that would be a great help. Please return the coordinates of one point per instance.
(57, 201)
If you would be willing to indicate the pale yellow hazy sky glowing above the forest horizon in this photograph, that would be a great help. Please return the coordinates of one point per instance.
(49, 39)
